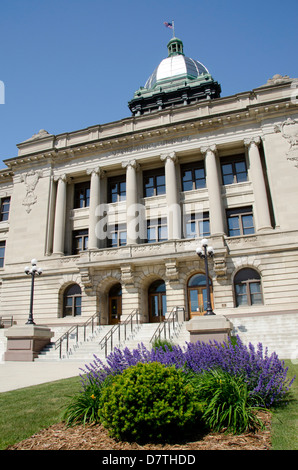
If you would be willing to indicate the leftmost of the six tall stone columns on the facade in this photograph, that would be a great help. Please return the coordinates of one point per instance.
(60, 212)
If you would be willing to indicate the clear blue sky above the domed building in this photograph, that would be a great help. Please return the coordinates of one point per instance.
(70, 64)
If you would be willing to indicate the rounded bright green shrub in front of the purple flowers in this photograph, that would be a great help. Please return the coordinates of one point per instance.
(148, 402)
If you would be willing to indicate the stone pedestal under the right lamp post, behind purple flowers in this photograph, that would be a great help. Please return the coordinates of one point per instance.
(209, 328)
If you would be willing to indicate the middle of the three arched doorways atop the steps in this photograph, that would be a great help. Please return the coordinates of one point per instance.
(157, 299)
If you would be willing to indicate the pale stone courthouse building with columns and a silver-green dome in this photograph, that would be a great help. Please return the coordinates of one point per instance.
(114, 213)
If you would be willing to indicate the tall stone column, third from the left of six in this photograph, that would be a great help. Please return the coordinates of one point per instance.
(132, 212)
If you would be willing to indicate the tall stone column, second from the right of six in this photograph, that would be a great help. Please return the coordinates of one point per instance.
(216, 215)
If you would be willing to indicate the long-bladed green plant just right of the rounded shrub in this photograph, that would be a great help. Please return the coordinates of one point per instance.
(228, 403)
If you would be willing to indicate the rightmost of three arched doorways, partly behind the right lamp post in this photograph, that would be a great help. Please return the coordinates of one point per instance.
(197, 294)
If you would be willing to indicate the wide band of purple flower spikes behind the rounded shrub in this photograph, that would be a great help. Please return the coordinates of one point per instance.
(265, 375)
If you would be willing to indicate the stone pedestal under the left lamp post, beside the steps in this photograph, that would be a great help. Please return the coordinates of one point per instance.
(25, 342)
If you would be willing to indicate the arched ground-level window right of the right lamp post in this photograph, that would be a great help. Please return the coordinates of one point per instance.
(247, 284)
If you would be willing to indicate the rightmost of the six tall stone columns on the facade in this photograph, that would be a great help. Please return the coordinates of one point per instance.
(261, 208)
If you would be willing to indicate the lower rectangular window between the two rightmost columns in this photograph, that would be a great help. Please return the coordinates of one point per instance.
(240, 221)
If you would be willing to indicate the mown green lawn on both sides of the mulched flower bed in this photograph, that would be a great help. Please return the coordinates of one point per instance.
(26, 411)
